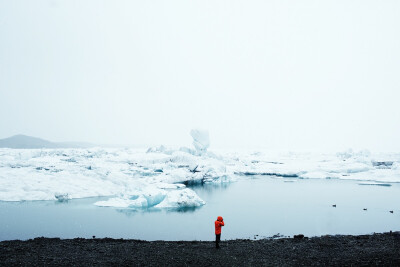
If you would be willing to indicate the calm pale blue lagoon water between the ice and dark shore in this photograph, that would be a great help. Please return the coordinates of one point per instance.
(261, 206)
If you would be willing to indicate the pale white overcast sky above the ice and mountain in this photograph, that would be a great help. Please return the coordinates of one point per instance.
(271, 74)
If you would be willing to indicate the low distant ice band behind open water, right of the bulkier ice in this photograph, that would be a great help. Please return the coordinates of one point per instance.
(349, 165)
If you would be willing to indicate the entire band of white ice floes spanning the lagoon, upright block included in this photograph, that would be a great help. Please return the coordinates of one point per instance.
(158, 177)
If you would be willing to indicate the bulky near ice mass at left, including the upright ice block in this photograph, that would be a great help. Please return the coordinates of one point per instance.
(131, 178)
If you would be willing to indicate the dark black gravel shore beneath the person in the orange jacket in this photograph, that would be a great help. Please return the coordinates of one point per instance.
(376, 249)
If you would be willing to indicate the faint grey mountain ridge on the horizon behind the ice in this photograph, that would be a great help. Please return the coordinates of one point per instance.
(24, 141)
